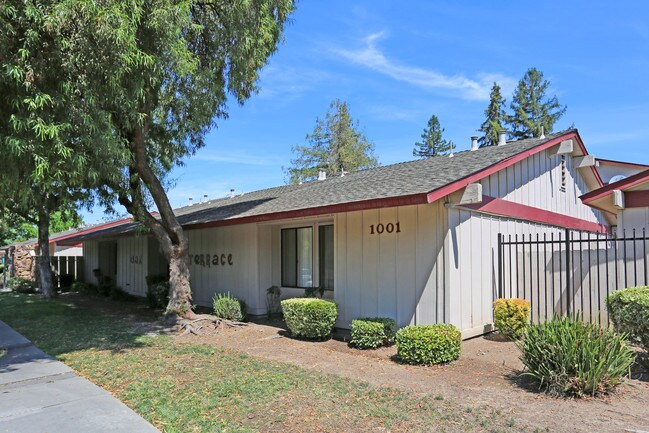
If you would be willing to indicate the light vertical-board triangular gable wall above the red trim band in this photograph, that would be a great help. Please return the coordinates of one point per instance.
(536, 181)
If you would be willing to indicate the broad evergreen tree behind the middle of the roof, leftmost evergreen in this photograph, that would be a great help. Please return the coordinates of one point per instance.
(335, 146)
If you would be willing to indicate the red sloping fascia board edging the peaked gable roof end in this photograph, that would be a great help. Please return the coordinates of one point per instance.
(452, 187)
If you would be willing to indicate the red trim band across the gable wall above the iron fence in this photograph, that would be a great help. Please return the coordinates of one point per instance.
(511, 209)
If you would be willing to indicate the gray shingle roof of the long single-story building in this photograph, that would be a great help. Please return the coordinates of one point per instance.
(403, 179)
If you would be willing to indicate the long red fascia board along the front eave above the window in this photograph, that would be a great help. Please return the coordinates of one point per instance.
(321, 210)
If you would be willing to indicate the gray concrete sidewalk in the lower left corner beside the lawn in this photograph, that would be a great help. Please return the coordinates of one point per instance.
(41, 395)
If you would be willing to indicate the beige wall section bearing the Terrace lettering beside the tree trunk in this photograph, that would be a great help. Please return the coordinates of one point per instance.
(235, 249)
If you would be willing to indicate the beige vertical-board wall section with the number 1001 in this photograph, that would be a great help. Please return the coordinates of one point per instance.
(397, 275)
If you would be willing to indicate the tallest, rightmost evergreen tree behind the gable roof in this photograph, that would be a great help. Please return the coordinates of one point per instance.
(532, 109)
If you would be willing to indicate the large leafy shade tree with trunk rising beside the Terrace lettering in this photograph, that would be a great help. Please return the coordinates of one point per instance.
(162, 73)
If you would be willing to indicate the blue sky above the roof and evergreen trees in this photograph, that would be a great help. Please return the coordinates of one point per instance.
(397, 63)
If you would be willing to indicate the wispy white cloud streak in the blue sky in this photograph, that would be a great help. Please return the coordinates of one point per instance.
(457, 85)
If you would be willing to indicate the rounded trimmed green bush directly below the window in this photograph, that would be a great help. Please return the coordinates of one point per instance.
(310, 318)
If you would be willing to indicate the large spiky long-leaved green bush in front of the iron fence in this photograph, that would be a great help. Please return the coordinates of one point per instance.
(569, 357)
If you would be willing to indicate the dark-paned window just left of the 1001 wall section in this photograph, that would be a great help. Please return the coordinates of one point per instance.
(298, 253)
